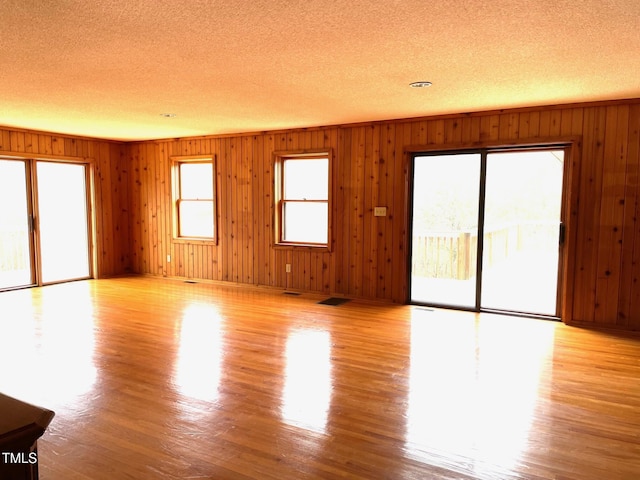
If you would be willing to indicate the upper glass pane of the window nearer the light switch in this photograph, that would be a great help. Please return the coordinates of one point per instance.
(306, 179)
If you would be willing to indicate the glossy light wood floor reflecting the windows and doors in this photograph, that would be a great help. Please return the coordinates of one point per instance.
(155, 379)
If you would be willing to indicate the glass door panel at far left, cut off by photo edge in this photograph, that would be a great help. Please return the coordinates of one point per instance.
(15, 234)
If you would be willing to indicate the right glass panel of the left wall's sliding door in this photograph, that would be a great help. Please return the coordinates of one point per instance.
(63, 224)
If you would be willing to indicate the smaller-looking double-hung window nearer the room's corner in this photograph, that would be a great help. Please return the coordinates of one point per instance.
(194, 207)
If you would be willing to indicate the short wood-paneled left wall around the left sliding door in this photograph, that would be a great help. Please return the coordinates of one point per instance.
(110, 187)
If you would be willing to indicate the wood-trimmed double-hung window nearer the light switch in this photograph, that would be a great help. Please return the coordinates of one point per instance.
(302, 193)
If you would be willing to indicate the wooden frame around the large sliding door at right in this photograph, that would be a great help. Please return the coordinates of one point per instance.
(569, 202)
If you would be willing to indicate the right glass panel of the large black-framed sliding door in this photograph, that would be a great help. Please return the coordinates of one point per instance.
(523, 201)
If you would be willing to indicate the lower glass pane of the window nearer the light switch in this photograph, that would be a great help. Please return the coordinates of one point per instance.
(306, 222)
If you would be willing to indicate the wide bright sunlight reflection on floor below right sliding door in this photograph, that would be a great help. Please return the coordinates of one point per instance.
(474, 396)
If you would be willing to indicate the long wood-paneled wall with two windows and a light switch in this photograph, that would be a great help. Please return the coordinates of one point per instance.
(368, 254)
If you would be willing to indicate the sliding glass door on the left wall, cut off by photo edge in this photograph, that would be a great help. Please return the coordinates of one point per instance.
(44, 222)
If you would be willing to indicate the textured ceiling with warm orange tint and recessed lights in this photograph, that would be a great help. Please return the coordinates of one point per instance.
(109, 68)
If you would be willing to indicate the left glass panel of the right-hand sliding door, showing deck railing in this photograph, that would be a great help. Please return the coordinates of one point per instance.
(445, 226)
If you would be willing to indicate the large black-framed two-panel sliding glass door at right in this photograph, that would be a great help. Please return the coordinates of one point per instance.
(486, 227)
